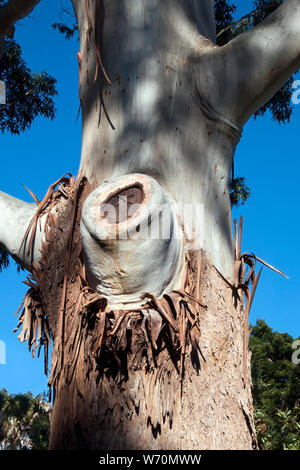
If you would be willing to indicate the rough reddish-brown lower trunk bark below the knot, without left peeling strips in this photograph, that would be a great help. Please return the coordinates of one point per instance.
(131, 396)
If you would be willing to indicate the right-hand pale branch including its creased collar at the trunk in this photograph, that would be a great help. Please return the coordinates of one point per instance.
(235, 80)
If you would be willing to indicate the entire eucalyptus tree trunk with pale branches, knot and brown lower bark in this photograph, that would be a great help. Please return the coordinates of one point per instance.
(150, 332)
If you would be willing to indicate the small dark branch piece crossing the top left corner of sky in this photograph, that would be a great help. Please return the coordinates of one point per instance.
(13, 11)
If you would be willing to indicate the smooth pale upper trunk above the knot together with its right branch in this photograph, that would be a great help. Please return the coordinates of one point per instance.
(177, 101)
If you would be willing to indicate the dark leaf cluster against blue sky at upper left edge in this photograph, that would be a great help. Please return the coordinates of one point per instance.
(28, 94)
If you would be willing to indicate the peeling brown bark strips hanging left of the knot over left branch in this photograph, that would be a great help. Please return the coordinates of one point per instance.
(48, 279)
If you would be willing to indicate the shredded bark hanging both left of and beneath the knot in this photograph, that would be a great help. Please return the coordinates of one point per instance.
(171, 322)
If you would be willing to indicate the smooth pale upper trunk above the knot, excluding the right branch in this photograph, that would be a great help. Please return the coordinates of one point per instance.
(151, 119)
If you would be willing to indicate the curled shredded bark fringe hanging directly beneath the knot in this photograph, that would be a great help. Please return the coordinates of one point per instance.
(170, 323)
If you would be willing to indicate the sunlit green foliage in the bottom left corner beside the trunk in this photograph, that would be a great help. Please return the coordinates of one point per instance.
(24, 421)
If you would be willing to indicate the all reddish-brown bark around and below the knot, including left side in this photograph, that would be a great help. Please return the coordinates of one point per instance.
(169, 376)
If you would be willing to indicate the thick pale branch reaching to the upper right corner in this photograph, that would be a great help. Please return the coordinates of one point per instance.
(257, 63)
